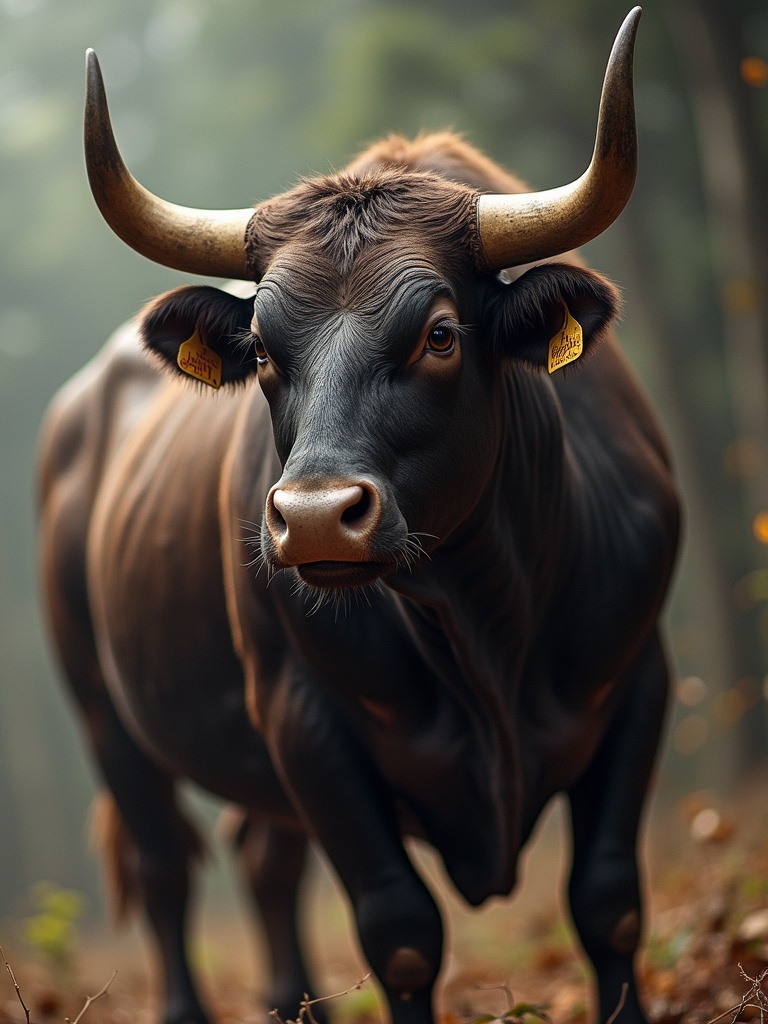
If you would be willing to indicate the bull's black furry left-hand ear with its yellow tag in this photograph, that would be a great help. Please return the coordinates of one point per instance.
(201, 333)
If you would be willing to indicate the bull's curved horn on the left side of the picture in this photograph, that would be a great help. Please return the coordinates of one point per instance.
(208, 242)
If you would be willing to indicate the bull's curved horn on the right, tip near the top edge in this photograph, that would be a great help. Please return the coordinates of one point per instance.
(522, 229)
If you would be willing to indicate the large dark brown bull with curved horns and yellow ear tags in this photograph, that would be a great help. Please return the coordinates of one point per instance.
(376, 573)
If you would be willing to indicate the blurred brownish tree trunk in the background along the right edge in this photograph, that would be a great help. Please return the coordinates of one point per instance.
(706, 38)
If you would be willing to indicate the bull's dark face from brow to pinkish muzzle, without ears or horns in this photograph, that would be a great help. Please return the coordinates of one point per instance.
(378, 407)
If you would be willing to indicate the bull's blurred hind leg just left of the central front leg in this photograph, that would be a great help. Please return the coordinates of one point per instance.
(273, 861)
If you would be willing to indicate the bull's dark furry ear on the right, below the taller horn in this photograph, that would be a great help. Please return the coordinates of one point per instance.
(524, 317)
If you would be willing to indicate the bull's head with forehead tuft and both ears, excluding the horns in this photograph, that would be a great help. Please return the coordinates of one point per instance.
(383, 365)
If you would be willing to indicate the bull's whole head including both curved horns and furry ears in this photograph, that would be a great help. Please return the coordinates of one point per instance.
(377, 286)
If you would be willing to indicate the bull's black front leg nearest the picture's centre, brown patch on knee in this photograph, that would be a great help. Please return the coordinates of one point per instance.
(336, 788)
